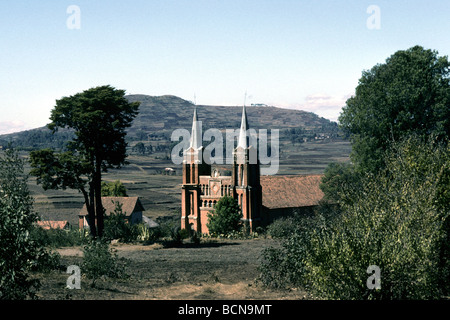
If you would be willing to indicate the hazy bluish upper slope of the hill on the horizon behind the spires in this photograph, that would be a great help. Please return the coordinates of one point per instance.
(160, 115)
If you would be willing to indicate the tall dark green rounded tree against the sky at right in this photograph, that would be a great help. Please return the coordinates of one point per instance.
(409, 93)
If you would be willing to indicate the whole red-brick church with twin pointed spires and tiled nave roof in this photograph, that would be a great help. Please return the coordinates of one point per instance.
(262, 198)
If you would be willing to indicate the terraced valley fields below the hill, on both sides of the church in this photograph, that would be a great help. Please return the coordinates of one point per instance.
(161, 194)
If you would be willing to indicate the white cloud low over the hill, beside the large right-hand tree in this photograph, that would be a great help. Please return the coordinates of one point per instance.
(326, 106)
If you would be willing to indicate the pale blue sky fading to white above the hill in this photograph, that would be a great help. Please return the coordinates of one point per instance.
(298, 54)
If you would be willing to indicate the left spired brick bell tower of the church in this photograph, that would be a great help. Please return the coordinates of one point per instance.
(193, 166)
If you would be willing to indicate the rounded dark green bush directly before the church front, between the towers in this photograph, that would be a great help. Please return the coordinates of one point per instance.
(226, 217)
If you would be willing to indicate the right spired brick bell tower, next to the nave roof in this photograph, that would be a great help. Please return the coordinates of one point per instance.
(246, 177)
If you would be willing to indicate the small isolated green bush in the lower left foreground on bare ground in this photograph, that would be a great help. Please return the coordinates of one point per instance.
(101, 261)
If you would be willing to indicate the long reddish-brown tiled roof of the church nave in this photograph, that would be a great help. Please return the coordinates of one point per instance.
(291, 191)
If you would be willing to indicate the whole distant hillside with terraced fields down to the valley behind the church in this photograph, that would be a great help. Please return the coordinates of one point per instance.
(308, 144)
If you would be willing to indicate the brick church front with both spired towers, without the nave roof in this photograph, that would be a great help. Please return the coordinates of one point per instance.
(202, 187)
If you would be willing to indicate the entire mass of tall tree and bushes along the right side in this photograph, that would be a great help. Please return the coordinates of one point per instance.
(391, 206)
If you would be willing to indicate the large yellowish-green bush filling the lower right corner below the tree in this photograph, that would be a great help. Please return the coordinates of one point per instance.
(398, 222)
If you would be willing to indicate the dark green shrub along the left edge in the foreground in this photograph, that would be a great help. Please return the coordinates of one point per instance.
(18, 252)
